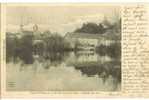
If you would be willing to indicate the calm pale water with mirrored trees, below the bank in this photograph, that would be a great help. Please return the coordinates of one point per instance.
(83, 70)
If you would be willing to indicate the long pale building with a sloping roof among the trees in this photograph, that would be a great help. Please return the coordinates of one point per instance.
(86, 40)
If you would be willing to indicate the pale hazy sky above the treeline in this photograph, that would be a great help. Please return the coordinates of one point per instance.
(57, 18)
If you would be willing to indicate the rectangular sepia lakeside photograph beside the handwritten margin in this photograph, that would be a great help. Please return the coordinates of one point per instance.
(68, 47)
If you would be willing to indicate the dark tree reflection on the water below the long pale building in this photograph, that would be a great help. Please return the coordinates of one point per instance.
(102, 70)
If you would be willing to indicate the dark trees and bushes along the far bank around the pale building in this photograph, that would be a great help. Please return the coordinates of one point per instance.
(48, 43)
